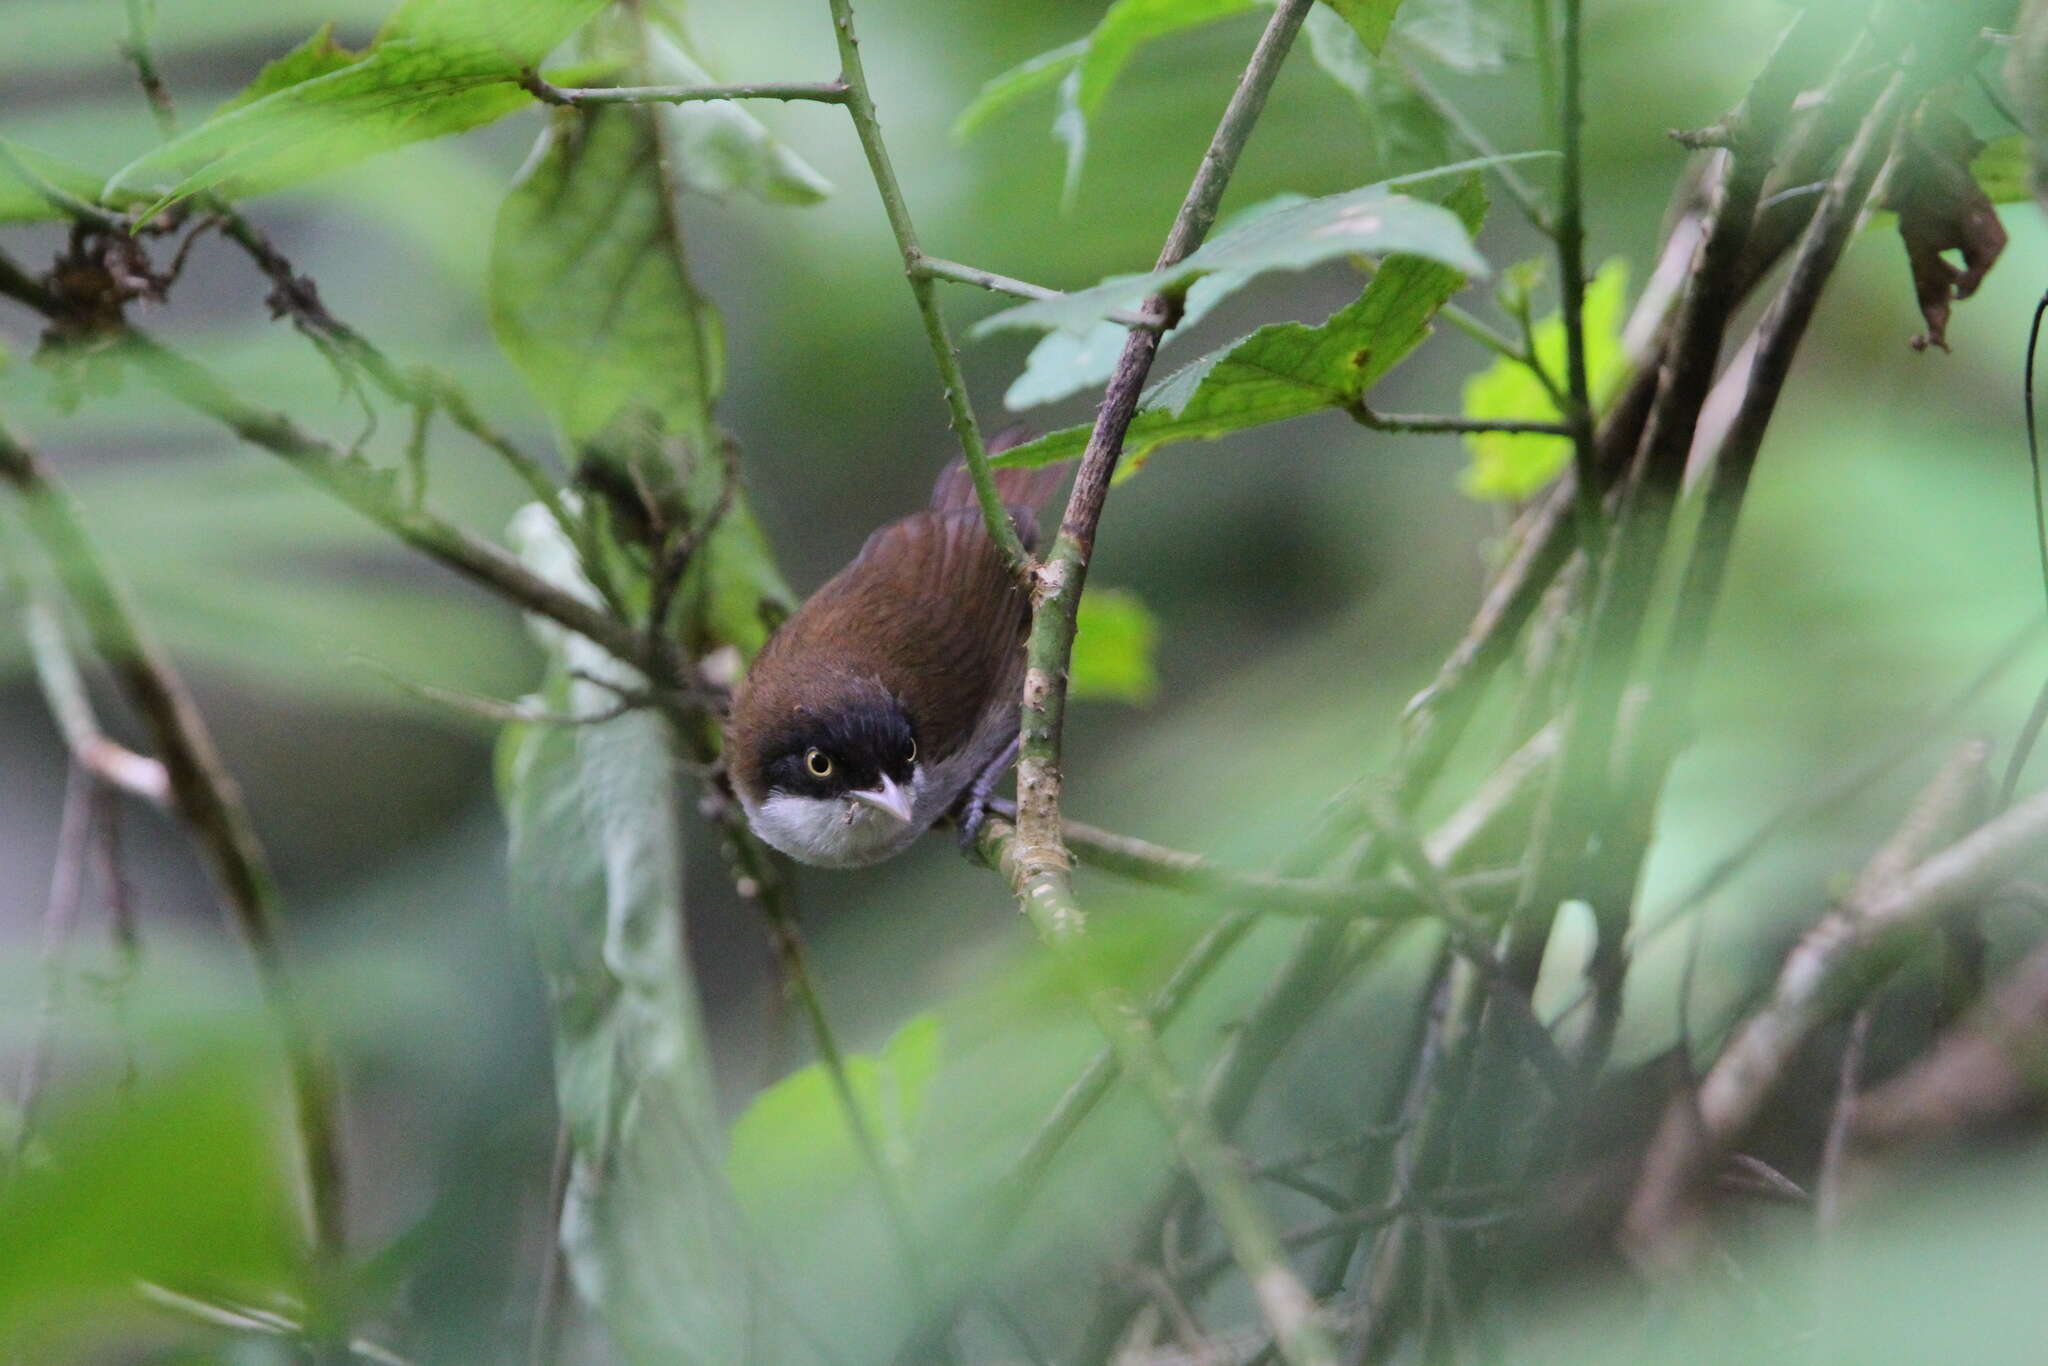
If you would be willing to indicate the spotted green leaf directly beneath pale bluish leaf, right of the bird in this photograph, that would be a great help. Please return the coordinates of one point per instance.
(1289, 370)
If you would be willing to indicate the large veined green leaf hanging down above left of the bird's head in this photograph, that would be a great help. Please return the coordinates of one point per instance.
(595, 306)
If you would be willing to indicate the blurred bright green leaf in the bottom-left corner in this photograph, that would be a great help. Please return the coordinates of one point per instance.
(179, 1185)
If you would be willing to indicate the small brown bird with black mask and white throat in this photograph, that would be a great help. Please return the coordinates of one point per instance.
(894, 689)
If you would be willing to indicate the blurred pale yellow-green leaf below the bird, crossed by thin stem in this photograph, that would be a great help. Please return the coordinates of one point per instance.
(794, 1150)
